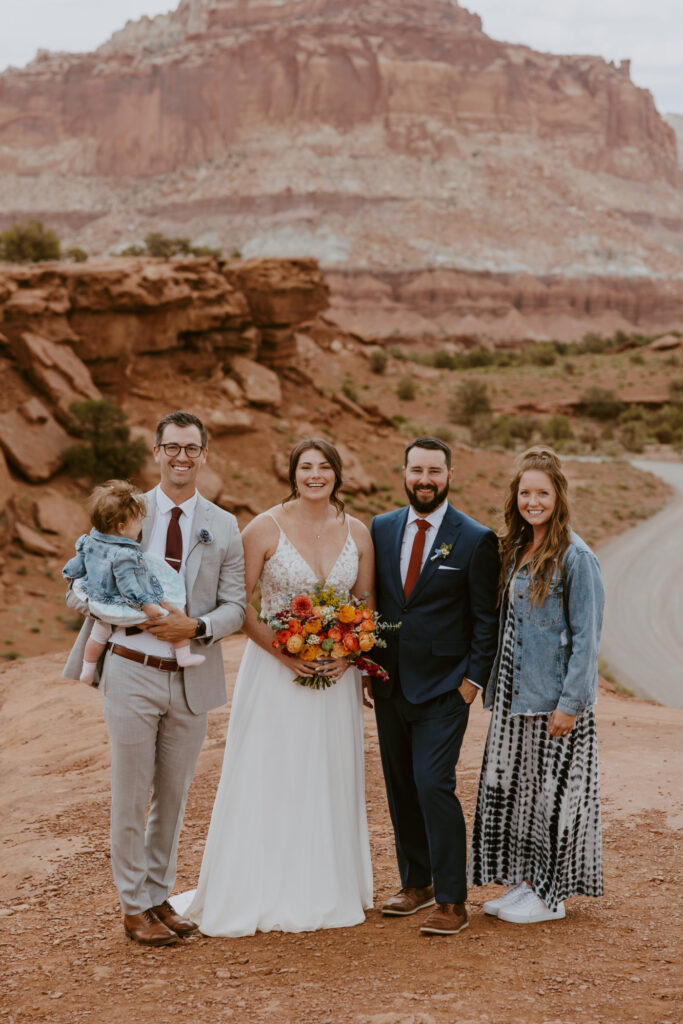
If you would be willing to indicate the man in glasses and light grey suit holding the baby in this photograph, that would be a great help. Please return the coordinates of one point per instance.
(156, 713)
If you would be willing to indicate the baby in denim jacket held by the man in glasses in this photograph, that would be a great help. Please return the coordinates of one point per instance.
(121, 584)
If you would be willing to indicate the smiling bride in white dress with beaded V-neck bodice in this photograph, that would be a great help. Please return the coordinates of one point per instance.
(288, 847)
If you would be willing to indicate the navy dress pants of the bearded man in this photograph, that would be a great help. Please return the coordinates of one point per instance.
(420, 746)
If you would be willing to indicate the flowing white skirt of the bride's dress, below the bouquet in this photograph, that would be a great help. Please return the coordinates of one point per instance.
(288, 846)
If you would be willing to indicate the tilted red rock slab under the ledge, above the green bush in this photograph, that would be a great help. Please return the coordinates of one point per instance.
(57, 370)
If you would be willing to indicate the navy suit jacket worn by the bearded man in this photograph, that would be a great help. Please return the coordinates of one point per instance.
(450, 621)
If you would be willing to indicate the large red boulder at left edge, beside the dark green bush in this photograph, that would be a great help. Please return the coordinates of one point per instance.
(33, 441)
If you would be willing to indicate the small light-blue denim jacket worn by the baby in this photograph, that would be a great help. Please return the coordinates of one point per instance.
(113, 570)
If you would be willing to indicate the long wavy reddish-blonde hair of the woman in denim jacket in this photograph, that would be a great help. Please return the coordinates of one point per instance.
(546, 563)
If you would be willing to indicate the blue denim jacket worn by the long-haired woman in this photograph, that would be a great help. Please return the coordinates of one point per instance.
(557, 644)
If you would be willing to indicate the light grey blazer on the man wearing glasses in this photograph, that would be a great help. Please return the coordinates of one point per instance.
(216, 585)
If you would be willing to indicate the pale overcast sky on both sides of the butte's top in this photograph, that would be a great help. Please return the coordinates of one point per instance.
(649, 32)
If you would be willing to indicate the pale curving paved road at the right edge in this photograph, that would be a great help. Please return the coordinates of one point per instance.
(643, 642)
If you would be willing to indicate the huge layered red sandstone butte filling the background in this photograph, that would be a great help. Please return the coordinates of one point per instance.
(450, 184)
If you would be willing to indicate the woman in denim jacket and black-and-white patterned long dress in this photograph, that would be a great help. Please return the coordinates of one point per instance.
(537, 826)
